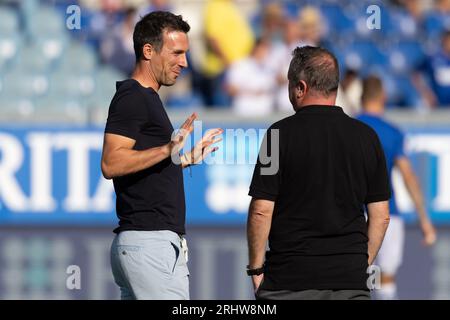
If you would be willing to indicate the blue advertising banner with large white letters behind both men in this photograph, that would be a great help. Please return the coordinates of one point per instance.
(52, 176)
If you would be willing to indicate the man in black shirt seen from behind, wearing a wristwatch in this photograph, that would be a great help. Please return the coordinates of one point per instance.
(315, 173)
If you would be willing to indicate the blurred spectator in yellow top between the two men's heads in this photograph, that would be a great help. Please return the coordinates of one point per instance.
(229, 38)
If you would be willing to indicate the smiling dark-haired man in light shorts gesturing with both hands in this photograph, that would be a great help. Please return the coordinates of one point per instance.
(142, 156)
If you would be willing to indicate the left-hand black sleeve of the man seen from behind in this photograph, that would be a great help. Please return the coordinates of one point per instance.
(266, 176)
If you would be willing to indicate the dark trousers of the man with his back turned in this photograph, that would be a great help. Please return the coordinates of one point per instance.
(313, 295)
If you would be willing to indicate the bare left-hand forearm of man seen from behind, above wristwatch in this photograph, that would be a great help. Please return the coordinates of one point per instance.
(258, 228)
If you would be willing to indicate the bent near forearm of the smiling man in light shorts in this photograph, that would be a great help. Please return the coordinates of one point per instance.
(126, 161)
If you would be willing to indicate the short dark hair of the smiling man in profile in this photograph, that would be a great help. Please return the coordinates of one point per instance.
(151, 27)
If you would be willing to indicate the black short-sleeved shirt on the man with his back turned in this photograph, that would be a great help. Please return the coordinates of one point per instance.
(330, 166)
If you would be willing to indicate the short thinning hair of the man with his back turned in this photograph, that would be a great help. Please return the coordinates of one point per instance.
(316, 66)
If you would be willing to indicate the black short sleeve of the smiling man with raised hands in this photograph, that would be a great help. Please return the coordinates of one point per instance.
(127, 115)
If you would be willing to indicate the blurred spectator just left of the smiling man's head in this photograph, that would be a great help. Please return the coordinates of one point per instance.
(117, 47)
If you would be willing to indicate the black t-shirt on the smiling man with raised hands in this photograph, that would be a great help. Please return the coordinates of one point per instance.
(152, 199)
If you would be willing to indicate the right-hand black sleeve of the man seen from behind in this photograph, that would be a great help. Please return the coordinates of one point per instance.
(378, 184)
